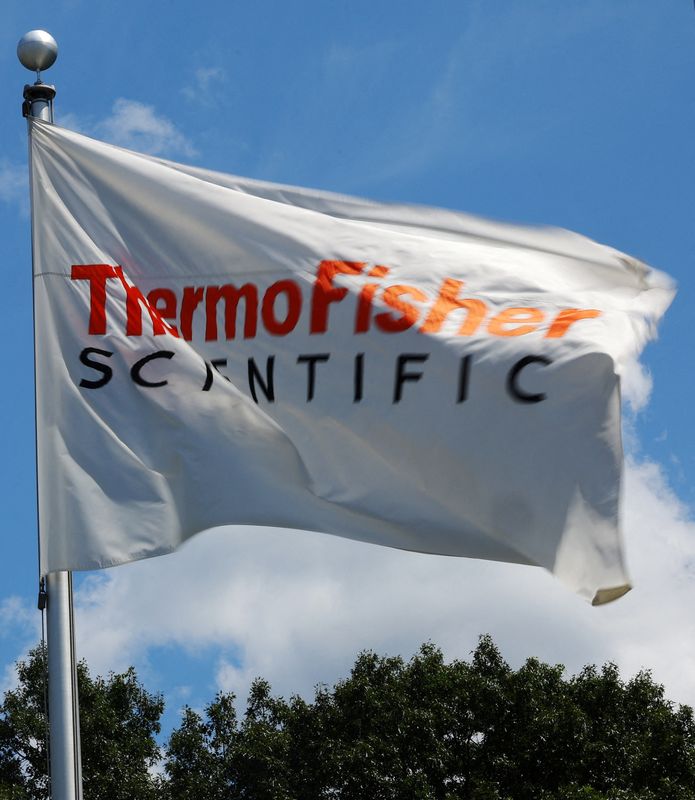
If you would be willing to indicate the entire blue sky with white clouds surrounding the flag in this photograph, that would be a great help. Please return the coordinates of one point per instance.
(578, 114)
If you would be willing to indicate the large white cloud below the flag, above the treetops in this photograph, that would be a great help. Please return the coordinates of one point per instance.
(297, 607)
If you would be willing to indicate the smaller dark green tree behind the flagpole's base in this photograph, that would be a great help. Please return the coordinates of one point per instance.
(119, 721)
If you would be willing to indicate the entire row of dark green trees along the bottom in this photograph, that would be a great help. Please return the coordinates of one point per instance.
(421, 729)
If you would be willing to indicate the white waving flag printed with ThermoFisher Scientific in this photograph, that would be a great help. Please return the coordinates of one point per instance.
(213, 350)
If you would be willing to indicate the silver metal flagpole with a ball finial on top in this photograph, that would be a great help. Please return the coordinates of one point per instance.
(37, 50)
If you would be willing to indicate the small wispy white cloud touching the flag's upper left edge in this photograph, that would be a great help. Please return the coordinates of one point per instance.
(134, 125)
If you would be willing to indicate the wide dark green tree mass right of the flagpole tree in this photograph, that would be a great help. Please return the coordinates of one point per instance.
(428, 730)
